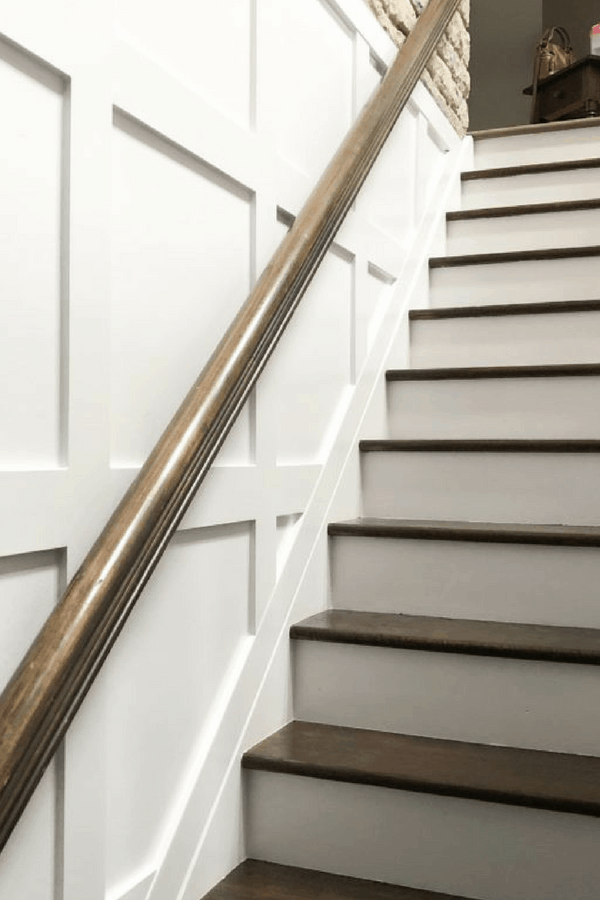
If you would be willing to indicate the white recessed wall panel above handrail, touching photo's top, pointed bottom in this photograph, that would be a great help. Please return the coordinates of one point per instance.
(307, 81)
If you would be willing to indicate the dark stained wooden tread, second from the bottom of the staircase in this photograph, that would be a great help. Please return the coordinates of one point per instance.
(533, 778)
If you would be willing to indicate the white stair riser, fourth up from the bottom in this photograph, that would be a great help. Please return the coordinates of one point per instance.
(551, 488)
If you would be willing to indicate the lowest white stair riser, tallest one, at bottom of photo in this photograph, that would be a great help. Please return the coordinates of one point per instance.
(476, 849)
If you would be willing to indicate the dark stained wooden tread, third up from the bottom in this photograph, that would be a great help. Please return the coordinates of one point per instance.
(510, 640)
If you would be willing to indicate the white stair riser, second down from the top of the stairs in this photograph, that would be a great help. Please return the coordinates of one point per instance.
(515, 190)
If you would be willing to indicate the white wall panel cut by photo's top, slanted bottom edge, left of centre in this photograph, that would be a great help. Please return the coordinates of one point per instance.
(206, 45)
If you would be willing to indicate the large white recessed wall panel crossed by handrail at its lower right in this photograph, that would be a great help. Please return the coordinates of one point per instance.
(180, 272)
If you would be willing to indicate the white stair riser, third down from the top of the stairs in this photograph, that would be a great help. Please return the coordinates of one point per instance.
(534, 231)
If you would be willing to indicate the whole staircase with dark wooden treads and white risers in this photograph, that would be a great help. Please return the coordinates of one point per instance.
(448, 705)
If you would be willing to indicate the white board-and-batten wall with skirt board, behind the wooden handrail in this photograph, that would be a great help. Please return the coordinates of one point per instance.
(149, 166)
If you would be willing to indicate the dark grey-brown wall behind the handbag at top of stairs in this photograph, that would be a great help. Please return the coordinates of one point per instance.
(504, 36)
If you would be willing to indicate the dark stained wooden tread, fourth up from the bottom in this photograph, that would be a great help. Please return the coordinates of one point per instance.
(477, 532)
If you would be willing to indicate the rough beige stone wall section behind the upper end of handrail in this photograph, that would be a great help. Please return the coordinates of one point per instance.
(447, 75)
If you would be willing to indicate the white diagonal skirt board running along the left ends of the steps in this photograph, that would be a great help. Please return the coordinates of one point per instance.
(206, 837)
